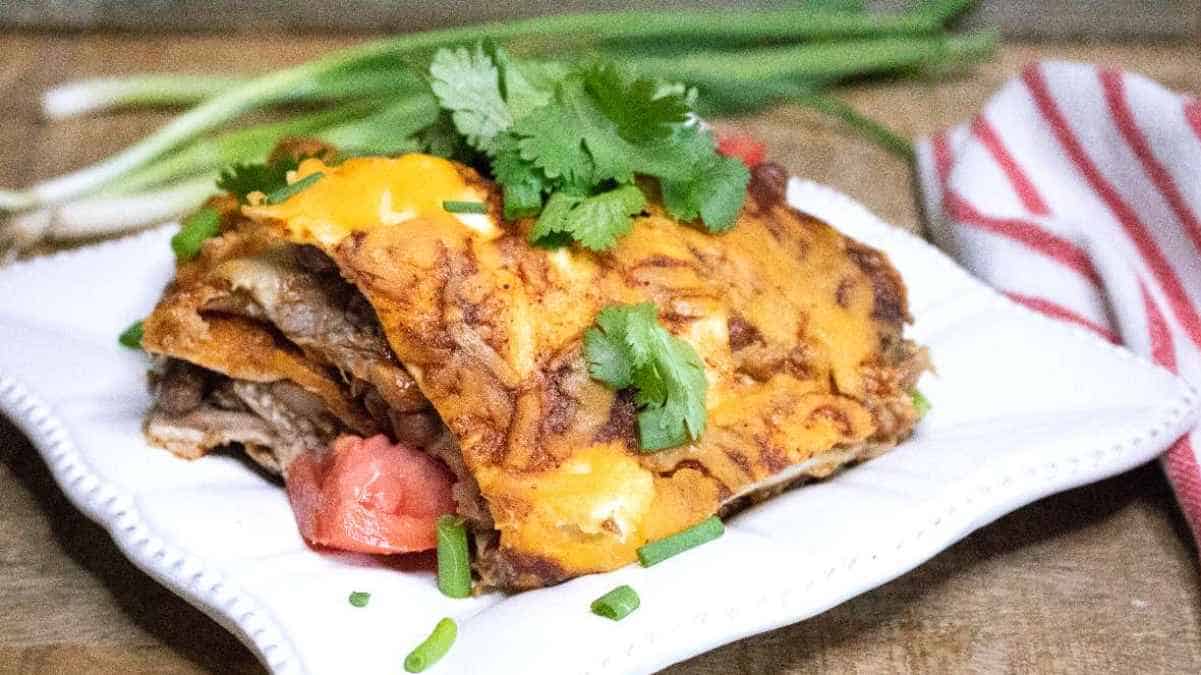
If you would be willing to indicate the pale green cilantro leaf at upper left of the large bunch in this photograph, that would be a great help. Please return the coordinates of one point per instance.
(468, 83)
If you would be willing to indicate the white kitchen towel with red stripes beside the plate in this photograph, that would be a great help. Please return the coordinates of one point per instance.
(1078, 194)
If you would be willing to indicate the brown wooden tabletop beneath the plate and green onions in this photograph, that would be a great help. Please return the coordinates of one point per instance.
(1100, 580)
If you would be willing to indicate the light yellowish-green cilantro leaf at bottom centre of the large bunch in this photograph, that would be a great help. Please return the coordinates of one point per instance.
(596, 223)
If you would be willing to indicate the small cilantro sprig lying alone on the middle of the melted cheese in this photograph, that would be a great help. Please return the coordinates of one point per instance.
(630, 349)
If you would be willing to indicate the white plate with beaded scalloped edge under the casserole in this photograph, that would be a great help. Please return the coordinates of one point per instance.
(1023, 408)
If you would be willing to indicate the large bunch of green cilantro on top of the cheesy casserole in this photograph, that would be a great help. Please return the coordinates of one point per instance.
(566, 145)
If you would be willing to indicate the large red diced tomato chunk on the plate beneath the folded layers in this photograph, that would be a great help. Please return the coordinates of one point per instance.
(369, 495)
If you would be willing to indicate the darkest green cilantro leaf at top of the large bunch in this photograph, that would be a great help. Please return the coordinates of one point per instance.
(635, 105)
